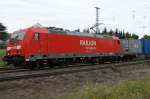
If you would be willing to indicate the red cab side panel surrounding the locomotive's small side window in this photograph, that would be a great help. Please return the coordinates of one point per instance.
(32, 46)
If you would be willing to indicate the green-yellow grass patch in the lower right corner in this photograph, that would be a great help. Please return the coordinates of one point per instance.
(138, 89)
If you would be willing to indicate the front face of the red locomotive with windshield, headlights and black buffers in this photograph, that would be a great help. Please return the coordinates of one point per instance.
(14, 50)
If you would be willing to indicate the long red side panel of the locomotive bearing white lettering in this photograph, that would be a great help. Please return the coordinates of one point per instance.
(70, 44)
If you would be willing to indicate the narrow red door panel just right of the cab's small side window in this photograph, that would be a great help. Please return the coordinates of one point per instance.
(43, 43)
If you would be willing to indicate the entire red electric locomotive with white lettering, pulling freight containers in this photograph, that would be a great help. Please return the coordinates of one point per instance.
(37, 46)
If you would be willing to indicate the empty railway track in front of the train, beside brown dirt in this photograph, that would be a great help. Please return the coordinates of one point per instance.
(24, 74)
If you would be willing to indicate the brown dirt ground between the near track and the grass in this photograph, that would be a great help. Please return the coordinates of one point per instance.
(56, 87)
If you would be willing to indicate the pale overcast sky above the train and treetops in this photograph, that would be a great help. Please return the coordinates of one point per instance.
(130, 15)
